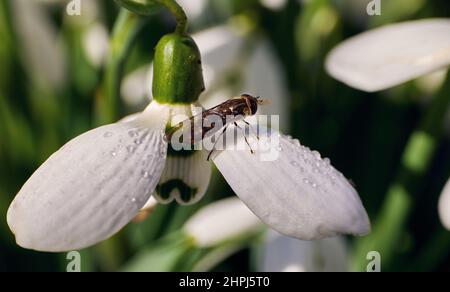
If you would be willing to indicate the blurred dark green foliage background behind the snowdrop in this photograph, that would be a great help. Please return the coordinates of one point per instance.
(45, 100)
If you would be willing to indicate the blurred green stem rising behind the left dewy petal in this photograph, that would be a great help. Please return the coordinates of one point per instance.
(126, 29)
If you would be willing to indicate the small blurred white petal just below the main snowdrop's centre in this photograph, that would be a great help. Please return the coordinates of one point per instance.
(221, 221)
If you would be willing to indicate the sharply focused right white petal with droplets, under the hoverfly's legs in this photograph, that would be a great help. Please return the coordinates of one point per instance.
(296, 192)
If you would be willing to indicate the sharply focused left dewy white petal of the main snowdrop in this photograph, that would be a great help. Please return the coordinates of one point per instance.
(91, 187)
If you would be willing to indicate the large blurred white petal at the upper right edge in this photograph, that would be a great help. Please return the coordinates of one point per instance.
(391, 55)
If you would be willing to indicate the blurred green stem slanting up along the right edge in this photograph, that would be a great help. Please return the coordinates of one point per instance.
(389, 227)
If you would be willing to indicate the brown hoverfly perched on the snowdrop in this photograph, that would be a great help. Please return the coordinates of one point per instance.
(227, 113)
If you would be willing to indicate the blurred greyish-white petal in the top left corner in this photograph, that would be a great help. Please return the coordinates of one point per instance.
(44, 56)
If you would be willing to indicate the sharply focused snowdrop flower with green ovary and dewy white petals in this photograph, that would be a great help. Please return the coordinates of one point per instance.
(98, 182)
